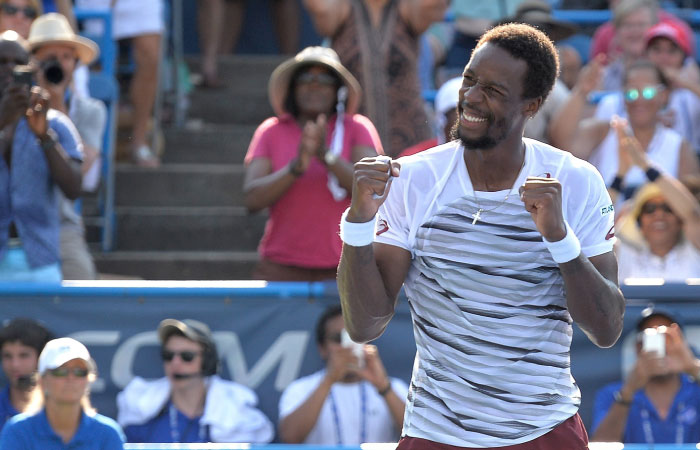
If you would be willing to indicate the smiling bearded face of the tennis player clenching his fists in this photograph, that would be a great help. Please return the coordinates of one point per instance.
(491, 107)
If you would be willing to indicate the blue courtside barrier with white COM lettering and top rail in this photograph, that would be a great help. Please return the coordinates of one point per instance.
(265, 331)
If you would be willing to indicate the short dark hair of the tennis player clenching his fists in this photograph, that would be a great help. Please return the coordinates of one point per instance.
(531, 45)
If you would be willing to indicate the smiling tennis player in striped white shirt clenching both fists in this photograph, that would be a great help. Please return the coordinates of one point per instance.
(502, 242)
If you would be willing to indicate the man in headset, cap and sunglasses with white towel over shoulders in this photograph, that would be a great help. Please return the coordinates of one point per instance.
(191, 403)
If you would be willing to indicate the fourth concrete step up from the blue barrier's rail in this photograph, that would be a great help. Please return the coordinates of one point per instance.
(207, 143)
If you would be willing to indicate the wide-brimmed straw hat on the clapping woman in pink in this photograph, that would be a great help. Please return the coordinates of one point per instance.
(278, 85)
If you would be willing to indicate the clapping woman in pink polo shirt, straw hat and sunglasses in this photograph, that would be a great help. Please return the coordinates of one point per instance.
(300, 164)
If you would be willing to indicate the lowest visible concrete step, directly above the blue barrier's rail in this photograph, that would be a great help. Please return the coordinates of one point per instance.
(176, 265)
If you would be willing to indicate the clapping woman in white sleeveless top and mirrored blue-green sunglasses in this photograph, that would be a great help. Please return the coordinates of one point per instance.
(645, 93)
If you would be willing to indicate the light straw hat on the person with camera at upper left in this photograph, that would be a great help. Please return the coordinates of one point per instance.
(53, 28)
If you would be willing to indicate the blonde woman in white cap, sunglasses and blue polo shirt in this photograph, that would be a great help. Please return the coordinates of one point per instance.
(67, 420)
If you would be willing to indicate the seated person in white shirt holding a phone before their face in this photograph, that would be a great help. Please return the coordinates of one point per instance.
(350, 402)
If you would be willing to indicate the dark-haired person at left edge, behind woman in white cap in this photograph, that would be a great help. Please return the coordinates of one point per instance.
(21, 342)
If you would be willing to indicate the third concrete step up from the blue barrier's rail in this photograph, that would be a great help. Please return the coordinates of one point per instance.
(179, 185)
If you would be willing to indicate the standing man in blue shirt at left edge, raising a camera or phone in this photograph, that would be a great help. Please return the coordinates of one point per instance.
(41, 150)
